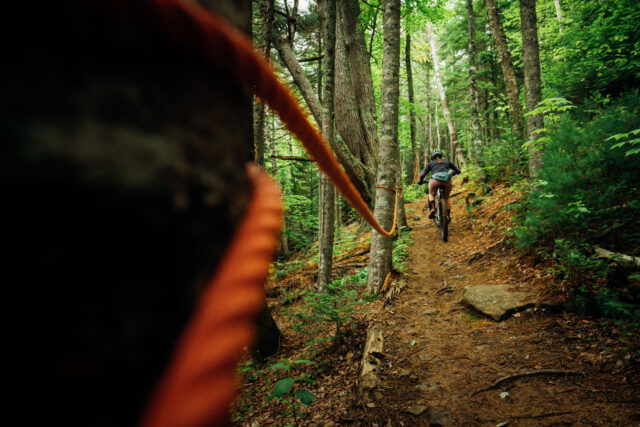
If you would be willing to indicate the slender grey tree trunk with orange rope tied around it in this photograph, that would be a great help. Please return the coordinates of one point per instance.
(381, 246)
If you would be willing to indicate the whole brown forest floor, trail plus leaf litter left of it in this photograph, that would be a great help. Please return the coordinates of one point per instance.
(438, 352)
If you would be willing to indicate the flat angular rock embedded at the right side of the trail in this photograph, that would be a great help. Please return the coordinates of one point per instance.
(495, 300)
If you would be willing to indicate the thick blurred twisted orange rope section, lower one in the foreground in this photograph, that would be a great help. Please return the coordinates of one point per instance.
(200, 383)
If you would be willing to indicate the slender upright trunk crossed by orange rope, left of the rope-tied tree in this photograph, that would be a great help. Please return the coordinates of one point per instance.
(327, 199)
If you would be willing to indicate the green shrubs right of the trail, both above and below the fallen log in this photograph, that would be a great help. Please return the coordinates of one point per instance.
(587, 194)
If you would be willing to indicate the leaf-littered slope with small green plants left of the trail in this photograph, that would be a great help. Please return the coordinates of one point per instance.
(325, 330)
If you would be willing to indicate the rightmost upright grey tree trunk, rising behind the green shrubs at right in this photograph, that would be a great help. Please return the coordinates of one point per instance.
(533, 89)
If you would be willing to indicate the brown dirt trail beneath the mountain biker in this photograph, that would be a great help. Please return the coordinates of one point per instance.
(439, 352)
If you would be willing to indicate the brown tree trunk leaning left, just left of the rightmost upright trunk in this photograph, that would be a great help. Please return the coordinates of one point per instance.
(508, 73)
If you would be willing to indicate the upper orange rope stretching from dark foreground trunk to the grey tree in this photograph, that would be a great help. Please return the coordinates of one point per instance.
(228, 49)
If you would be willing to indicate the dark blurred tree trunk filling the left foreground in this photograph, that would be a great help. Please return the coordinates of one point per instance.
(123, 180)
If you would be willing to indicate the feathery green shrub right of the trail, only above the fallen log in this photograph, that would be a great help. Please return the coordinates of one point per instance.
(588, 190)
